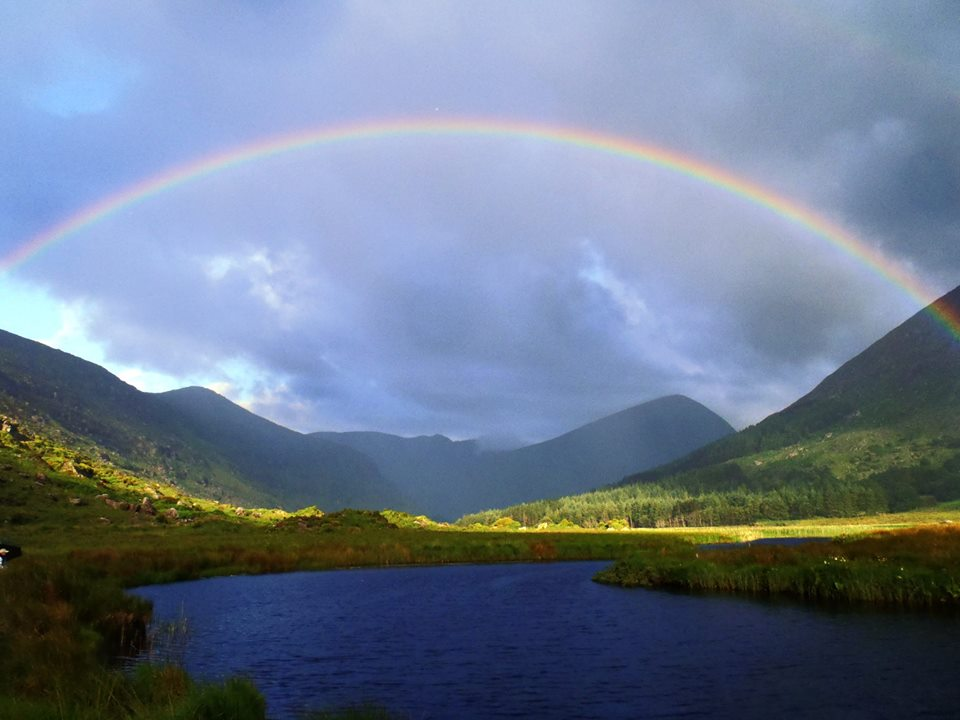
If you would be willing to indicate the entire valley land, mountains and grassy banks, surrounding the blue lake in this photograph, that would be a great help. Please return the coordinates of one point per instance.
(106, 488)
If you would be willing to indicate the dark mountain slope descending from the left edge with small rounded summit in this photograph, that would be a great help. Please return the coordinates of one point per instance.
(193, 438)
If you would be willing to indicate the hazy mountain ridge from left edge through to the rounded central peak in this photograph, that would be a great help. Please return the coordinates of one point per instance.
(209, 446)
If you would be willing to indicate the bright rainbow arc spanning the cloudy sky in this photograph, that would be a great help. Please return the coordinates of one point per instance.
(620, 146)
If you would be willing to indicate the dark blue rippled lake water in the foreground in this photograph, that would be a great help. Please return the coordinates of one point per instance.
(543, 641)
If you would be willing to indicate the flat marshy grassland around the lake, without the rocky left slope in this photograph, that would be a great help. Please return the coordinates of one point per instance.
(66, 616)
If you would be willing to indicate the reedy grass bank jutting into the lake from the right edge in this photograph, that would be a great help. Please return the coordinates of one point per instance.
(915, 568)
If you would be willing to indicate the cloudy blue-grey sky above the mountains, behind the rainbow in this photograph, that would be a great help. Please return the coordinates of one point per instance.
(496, 285)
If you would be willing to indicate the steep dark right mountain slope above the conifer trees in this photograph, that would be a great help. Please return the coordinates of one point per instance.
(901, 393)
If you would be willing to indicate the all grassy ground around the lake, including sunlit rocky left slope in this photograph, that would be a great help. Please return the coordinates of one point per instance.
(88, 535)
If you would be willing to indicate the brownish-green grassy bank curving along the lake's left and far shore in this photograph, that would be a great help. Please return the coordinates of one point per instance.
(66, 616)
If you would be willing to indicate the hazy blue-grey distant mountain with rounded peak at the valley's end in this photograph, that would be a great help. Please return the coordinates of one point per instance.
(445, 479)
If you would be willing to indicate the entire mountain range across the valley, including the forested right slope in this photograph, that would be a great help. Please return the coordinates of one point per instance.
(880, 433)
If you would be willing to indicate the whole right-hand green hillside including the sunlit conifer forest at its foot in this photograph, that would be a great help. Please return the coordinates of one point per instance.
(882, 433)
